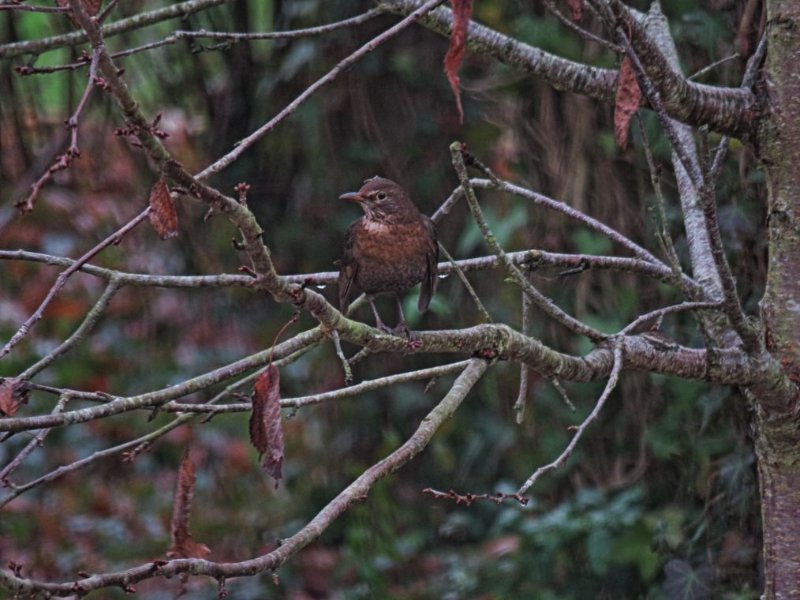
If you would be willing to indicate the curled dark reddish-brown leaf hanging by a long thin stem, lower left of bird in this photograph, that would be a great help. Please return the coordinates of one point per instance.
(265, 422)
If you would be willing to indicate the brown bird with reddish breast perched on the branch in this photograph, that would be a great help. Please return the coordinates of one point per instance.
(387, 251)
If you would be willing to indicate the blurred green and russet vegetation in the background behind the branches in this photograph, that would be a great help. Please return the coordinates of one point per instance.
(658, 501)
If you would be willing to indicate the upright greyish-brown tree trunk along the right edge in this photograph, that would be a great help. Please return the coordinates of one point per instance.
(778, 438)
